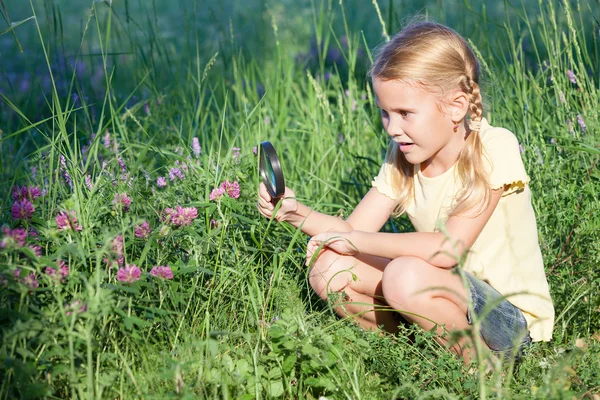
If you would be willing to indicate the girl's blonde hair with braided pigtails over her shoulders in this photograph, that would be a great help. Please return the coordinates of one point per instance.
(437, 59)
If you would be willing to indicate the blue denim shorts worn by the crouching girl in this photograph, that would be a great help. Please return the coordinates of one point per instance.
(503, 326)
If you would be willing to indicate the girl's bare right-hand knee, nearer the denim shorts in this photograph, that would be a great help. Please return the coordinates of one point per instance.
(402, 282)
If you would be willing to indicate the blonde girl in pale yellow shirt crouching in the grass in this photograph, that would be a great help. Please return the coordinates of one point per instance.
(464, 187)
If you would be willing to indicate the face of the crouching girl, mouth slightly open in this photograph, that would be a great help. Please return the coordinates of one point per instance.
(415, 121)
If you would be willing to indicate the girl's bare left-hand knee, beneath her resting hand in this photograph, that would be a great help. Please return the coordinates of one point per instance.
(330, 273)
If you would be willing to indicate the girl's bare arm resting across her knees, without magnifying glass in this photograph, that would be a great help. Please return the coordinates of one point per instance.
(434, 247)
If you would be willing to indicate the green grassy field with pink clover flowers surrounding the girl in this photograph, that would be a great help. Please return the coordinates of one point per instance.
(124, 275)
